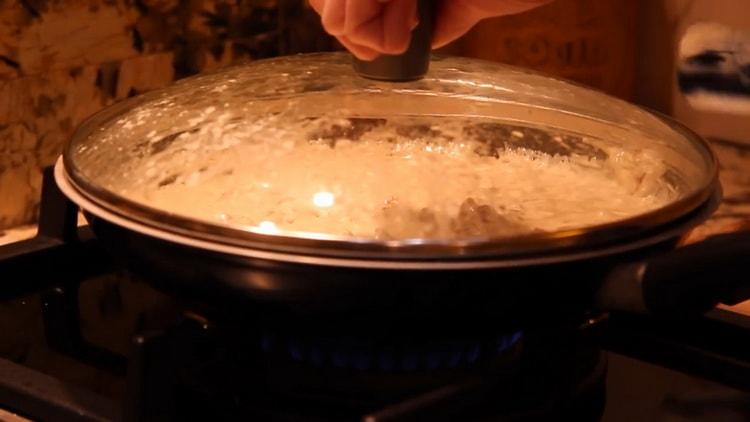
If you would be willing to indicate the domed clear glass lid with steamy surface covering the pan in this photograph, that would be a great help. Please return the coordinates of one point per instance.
(300, 152)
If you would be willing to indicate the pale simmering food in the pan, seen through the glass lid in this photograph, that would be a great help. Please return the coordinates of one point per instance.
(398, 178)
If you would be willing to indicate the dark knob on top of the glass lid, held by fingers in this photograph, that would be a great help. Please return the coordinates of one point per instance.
(414, 62)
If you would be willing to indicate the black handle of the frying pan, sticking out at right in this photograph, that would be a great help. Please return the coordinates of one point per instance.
(686, 281)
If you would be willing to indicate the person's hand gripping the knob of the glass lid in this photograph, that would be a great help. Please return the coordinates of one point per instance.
(369, 28)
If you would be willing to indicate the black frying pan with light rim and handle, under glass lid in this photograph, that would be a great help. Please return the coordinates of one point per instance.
(642, 274)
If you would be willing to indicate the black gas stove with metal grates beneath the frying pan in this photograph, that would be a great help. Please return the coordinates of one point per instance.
(84, 341)
